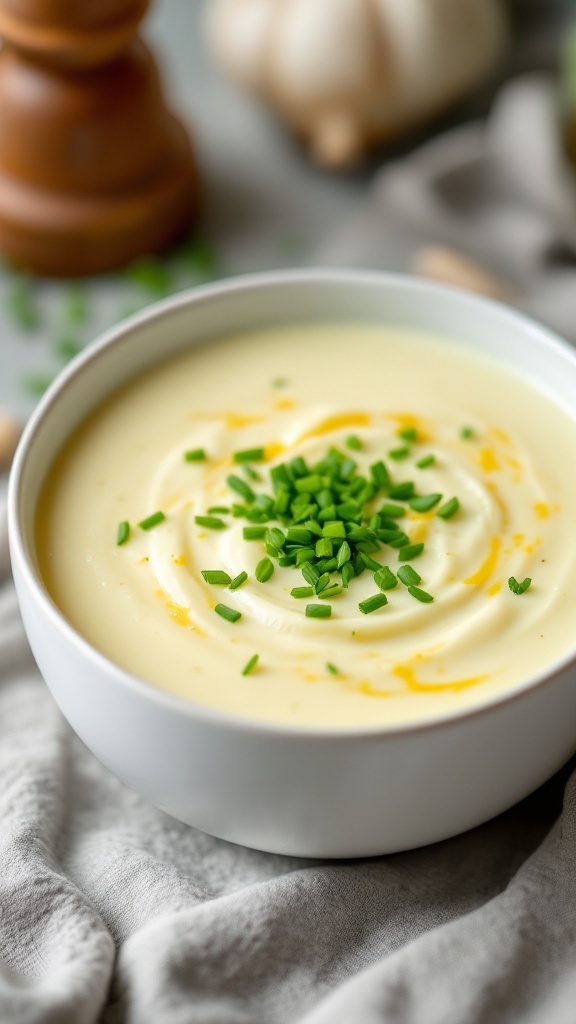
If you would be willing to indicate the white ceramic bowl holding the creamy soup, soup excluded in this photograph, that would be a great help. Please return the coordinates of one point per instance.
(290, 790)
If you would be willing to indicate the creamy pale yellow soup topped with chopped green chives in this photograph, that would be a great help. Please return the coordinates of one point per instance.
(332, 526)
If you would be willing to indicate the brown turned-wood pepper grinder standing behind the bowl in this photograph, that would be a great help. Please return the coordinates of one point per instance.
(95, 170)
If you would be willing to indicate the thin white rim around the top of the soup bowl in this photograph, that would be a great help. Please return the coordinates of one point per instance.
(157, 311)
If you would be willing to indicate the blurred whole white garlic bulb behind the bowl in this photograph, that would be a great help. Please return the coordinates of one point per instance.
(349, 74)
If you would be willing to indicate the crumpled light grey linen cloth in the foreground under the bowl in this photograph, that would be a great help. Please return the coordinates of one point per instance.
(113, 912)
